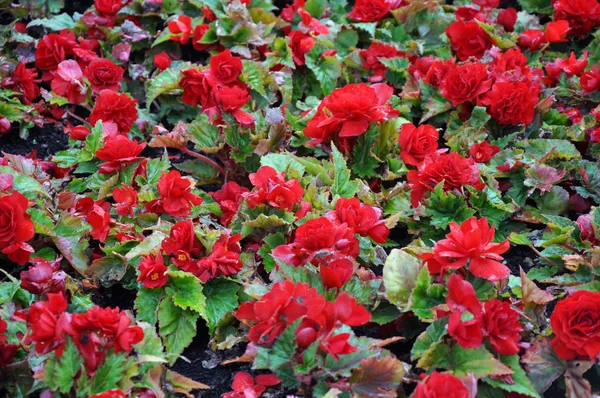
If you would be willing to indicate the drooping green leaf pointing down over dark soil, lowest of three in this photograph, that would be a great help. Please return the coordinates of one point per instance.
(177, 327)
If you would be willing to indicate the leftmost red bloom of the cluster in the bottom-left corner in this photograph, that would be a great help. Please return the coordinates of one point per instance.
(46, 323)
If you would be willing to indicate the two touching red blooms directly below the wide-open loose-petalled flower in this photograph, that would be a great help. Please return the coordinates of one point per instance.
(495, 320)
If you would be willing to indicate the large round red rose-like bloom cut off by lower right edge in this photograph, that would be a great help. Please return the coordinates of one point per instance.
(576, 325)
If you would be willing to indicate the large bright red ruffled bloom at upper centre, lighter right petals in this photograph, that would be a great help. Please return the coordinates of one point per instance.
(348, 111)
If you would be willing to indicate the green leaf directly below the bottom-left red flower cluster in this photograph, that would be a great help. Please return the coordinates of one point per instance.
(61, 372)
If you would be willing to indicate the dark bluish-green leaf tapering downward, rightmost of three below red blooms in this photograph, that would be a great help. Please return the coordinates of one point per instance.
(221, 298)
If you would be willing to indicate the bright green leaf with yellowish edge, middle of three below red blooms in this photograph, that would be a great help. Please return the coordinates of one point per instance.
(186, 291)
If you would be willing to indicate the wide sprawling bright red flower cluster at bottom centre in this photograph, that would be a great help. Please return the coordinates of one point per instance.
(286, 302)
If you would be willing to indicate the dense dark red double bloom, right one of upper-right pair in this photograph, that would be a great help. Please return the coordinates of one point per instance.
(512, 102)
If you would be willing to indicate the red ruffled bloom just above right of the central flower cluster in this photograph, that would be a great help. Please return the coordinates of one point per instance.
(362, 218)
